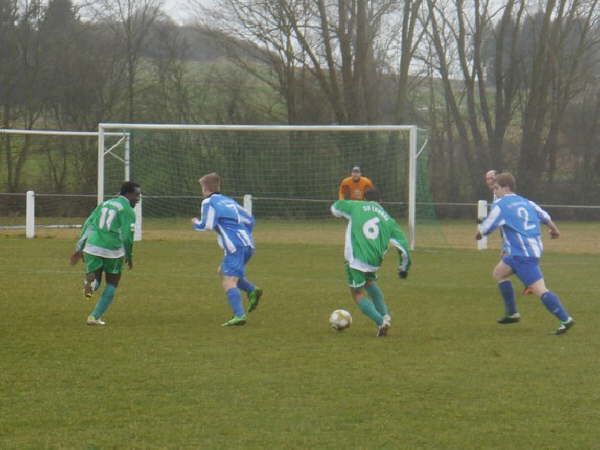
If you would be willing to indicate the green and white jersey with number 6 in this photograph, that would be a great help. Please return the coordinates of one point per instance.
(368, 236)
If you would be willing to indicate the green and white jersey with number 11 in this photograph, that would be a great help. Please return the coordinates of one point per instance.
(108, 231)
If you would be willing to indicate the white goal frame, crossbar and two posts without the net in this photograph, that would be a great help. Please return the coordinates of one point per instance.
(414, 152)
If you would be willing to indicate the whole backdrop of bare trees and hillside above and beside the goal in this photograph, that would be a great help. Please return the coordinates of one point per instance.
(507, 85)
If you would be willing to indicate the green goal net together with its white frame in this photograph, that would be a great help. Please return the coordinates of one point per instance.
(290, 173)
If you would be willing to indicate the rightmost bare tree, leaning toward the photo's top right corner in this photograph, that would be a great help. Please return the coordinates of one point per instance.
(563, 41)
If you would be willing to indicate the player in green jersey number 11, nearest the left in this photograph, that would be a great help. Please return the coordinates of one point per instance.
(106, 240)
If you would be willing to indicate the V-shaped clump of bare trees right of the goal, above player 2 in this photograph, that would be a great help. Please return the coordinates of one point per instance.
(510, 69)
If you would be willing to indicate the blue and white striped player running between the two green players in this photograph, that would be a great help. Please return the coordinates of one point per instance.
(233, 225)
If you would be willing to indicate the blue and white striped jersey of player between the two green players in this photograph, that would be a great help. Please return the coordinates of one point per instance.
(232, 223)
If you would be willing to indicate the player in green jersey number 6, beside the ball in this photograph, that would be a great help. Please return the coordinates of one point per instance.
(370, 231)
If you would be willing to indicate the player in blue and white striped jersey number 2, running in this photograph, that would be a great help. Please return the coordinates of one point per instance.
(520, 219)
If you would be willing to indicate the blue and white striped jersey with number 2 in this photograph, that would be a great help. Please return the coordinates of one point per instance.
(519, 219)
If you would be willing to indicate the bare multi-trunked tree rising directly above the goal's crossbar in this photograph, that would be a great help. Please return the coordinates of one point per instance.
(335, 46)
